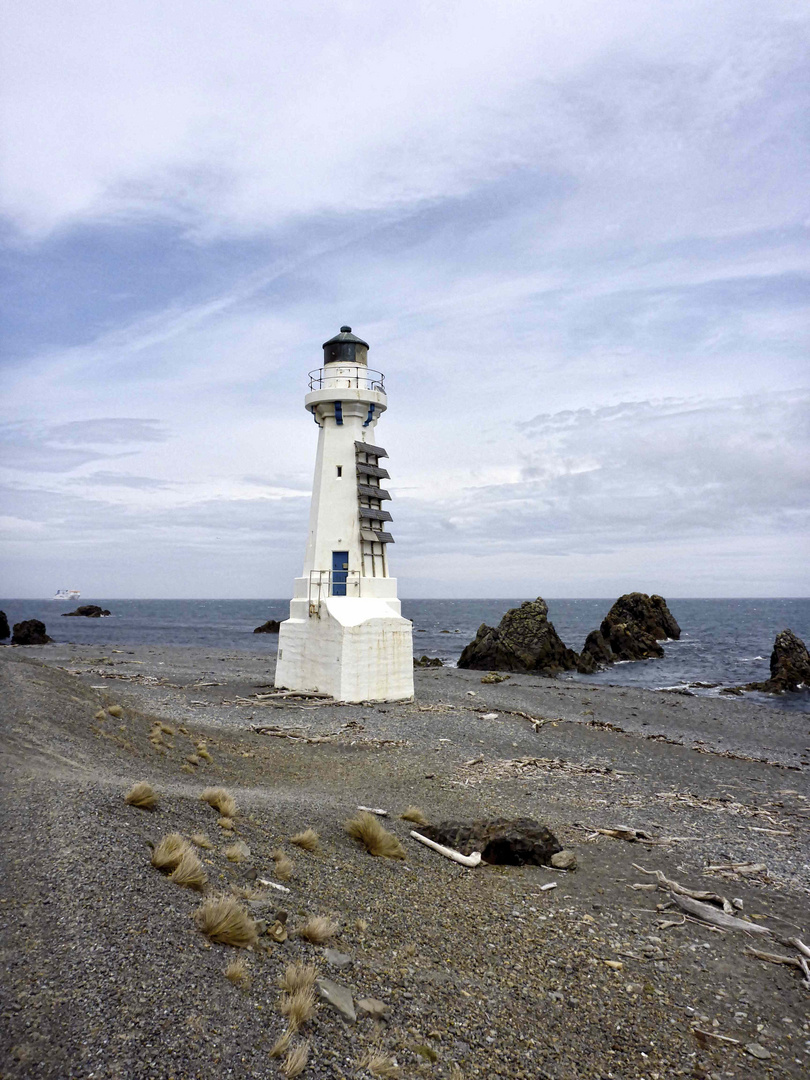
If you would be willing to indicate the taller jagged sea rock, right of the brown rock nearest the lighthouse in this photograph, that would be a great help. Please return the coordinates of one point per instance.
(630, 631)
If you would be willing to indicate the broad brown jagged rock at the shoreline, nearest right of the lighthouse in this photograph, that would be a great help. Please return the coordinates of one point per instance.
(524, 642)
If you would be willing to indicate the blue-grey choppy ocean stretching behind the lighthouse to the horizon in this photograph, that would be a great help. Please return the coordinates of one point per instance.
(727, 642)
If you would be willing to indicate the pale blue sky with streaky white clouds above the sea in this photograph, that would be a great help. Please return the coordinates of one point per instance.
(575, 235)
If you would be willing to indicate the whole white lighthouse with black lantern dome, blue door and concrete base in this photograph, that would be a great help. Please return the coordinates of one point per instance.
(346, 636)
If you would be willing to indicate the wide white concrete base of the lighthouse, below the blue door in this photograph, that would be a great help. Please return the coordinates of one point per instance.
(354, 650)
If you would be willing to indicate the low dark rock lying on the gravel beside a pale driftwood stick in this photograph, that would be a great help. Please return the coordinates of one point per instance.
(509, 842)
